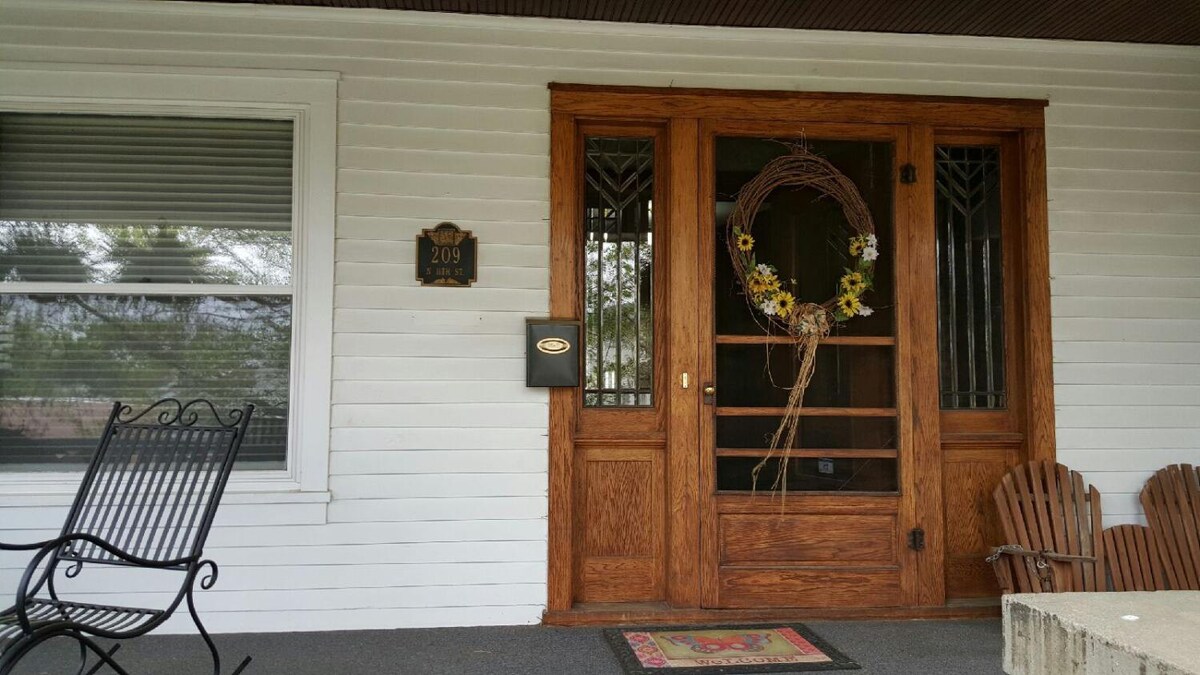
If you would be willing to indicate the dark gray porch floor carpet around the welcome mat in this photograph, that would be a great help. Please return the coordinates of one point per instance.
(901, 648)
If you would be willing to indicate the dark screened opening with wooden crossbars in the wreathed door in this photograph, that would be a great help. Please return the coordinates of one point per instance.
(805, 235)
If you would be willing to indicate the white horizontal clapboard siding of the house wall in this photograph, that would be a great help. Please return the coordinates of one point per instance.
(439, 464)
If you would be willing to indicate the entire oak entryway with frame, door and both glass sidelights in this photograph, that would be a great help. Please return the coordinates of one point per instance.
(655, 505)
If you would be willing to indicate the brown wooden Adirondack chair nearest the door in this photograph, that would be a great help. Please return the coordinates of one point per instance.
(1053, 530)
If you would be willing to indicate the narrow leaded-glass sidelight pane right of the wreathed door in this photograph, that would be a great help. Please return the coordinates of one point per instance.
(970, 278)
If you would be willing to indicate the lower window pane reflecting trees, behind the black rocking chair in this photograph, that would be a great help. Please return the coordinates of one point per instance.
(64, 359)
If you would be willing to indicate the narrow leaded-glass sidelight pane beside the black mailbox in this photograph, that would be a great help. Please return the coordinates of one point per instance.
(619, 272)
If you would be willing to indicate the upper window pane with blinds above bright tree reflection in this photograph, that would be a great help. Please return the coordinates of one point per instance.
(112, 199)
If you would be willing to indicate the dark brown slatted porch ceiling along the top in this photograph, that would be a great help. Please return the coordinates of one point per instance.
(1163, 22)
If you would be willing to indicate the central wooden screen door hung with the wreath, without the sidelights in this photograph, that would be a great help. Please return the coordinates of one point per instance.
(838, 534)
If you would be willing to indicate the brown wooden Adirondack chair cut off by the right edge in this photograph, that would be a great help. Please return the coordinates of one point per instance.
(1172, 500)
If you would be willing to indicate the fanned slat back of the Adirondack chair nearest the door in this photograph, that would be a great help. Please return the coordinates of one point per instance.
(1046, 507)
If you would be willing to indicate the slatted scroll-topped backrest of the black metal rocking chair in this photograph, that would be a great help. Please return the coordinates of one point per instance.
(157, 480)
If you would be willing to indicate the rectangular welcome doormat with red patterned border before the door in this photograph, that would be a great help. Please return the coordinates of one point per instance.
(725, 650)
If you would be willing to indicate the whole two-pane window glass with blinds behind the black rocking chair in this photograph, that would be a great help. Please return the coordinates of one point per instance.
(142, 258)
